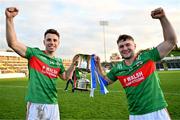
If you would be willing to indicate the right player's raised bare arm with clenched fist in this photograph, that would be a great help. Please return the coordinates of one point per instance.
(170, 39)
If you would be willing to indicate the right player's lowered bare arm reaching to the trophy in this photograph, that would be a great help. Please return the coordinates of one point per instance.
(101, 71)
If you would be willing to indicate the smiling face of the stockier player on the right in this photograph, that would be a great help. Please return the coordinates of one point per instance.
(127, 48)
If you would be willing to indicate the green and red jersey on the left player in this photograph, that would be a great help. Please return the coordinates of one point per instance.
(43, 75)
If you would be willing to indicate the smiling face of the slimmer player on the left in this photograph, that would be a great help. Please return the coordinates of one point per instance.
(51, 42)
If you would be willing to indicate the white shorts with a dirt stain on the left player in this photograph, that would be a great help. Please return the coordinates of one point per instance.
(37, 111)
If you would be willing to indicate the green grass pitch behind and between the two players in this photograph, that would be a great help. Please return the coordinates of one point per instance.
(79, 106)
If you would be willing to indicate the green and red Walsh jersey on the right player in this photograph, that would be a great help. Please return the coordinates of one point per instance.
(141, 83)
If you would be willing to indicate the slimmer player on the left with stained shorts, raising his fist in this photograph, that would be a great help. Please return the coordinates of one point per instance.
(44, 70)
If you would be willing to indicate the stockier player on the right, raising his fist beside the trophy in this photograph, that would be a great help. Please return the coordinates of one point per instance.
(138, 76)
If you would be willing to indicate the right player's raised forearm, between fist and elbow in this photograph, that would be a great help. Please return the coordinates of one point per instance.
(168, 31)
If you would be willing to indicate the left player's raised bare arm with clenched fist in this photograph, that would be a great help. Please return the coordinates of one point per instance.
(12, 41)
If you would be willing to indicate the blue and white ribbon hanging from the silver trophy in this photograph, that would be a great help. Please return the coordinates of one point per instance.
(95, 76)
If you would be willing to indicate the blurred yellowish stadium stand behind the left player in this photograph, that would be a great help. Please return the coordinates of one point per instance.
(10, 62)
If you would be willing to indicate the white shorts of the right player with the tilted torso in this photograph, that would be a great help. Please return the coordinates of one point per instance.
(157, 115)
